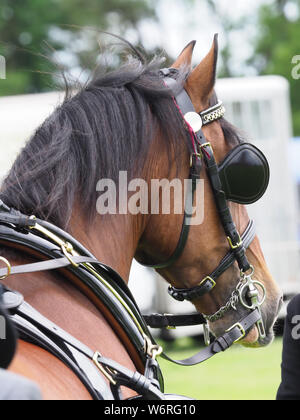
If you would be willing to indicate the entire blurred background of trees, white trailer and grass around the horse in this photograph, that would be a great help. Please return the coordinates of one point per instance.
(259, 82)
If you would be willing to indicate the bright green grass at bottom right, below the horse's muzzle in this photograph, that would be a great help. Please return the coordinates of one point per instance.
(237, 374)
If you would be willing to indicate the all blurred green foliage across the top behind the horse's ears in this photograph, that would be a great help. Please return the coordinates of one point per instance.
(28, 28)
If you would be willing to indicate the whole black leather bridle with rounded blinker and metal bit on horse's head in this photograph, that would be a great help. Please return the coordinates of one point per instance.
(243, 177)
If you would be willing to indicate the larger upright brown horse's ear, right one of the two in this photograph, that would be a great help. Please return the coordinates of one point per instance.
(201, 82)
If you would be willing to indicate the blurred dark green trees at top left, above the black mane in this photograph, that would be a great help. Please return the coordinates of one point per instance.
(30, 28)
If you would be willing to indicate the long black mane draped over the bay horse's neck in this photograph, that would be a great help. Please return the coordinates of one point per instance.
(105, 127)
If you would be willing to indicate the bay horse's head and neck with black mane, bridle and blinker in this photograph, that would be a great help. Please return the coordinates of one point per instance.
(145, 122)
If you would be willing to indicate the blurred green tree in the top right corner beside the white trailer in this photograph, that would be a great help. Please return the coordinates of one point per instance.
(278, 41)
